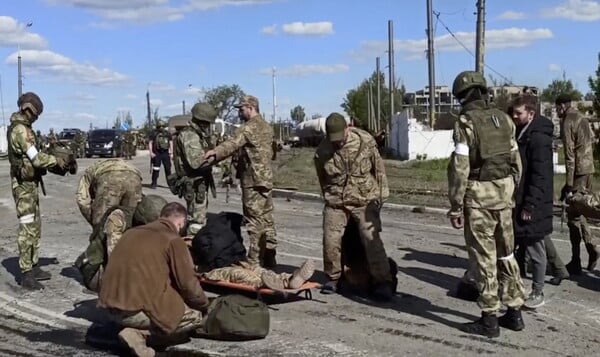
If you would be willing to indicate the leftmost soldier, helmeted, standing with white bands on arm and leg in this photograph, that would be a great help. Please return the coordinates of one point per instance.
(27, 166)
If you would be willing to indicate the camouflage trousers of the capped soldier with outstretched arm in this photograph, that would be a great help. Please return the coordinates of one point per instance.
(258, 212)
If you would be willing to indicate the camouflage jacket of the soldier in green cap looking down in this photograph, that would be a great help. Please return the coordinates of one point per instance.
(353, 175)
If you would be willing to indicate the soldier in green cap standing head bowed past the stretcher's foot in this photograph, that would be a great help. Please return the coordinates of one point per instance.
(354, 185)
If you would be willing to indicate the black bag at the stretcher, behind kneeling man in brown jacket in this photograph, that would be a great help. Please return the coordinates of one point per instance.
(219, 243)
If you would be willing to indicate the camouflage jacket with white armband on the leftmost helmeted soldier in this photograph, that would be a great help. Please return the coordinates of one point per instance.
(25, 158)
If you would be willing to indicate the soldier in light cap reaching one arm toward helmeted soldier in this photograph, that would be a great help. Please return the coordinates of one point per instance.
(252, 145)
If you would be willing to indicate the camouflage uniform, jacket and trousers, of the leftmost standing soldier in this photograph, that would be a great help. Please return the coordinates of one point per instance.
(25, 165)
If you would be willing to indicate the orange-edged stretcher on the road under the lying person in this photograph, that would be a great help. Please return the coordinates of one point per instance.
(305, 289)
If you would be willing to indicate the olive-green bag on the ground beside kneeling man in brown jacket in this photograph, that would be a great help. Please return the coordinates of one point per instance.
(237, 318)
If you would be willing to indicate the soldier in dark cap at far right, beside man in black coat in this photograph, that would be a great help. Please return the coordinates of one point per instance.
(578, 143)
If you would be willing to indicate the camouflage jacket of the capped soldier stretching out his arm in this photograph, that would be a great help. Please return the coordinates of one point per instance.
(252, 144)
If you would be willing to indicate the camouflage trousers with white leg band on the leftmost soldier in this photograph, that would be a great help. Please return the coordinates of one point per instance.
(29, 233)
